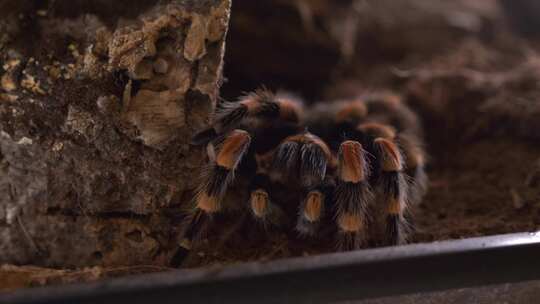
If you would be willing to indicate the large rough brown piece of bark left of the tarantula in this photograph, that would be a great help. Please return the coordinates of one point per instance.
(97, 104)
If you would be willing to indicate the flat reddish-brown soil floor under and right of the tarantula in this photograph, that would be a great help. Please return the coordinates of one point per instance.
(475, 190)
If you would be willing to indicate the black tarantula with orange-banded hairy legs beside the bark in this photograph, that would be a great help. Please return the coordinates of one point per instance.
(356, 164)
